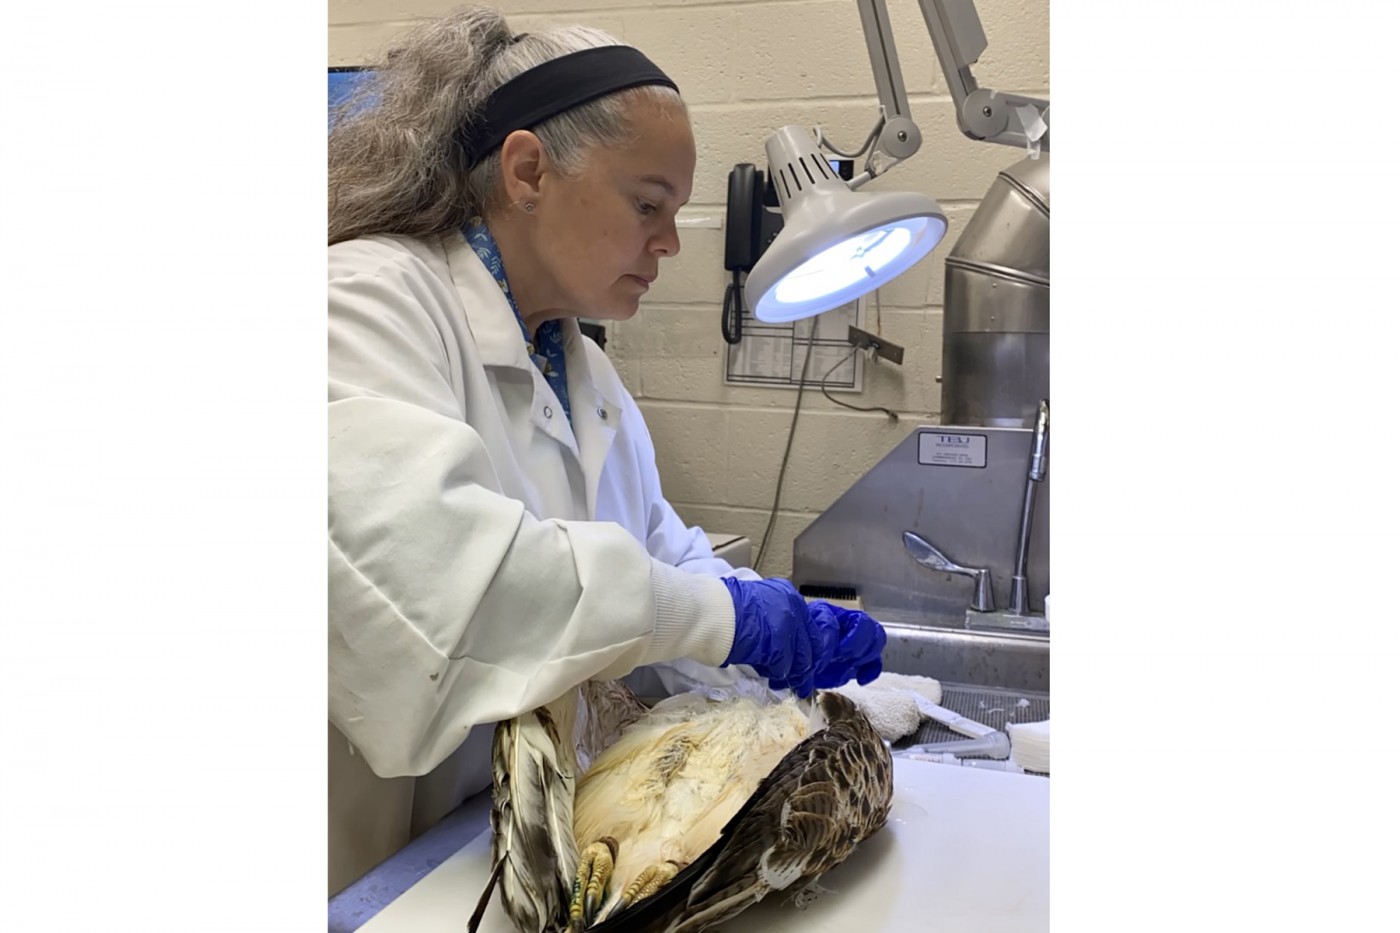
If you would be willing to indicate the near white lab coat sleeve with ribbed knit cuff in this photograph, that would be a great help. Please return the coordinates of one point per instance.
(450, 606)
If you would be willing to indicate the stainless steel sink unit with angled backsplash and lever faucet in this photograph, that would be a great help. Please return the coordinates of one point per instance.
(930, 543)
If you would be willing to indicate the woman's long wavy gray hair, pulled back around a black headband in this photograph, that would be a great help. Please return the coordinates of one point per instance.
(395, 162)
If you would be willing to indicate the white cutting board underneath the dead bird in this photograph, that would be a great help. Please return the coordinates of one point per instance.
(964, 851)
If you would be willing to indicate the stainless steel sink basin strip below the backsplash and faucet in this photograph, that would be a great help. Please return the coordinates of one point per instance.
(1009, 662)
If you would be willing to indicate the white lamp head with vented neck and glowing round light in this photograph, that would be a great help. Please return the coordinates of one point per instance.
(836, 244)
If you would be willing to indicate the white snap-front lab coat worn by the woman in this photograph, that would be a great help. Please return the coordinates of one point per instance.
(484, 555)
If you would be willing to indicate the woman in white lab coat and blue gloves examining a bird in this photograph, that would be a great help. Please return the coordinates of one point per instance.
(498, 530)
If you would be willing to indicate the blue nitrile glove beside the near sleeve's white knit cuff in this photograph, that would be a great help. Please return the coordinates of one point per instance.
(772, 634)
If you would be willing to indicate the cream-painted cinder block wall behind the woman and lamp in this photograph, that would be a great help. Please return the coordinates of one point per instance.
(747, 68)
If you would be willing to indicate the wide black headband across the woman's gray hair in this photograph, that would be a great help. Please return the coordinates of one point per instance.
(548, 90)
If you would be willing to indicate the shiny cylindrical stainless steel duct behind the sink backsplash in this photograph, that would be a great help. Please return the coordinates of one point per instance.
(997, 305)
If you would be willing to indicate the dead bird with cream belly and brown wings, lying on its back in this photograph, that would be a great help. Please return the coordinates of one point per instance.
(610, 817)
